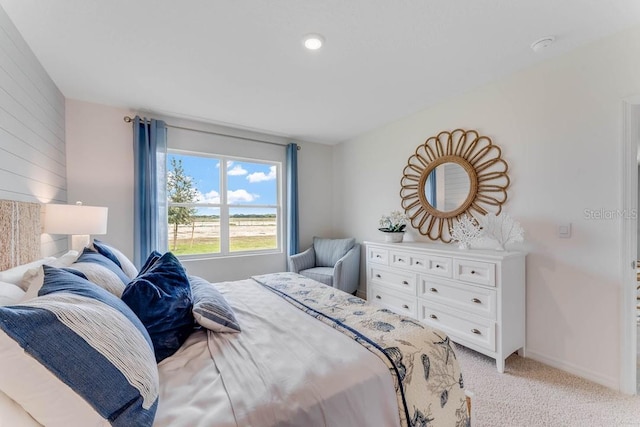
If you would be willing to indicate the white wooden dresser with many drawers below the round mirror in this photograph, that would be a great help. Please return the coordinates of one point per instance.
(477, 297)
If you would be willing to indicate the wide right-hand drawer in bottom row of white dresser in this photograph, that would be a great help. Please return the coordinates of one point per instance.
(460, 326)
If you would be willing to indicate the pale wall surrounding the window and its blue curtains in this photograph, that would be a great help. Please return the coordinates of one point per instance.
(100, 172)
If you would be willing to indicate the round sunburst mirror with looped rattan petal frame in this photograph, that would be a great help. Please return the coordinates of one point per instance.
(450, 175)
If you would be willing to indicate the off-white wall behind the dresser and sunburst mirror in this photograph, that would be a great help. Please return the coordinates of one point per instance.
(559, 125)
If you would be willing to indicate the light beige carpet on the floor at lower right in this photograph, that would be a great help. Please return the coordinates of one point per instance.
(530, 393)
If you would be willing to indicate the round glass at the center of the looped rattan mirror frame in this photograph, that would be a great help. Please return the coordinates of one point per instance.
(447, 187)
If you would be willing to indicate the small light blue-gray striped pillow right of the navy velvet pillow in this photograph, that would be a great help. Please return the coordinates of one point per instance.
(210, 308)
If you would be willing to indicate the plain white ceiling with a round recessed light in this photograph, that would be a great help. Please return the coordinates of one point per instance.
(242, 63)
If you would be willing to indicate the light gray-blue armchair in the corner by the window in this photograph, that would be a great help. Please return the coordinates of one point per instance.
(334, 262)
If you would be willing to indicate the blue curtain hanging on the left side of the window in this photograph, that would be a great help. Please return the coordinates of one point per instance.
(150, 188)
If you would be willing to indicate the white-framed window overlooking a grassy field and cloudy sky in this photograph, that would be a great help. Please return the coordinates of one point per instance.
(222, 205)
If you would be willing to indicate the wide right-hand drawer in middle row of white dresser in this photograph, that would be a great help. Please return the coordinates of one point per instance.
(468, 298)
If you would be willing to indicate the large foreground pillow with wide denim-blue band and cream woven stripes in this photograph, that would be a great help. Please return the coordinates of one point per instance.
(77, 355)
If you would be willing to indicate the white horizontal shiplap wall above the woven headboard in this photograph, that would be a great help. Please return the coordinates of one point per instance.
(32, 129)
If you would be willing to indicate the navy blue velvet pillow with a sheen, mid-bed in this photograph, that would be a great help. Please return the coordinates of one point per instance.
(161, 298)
